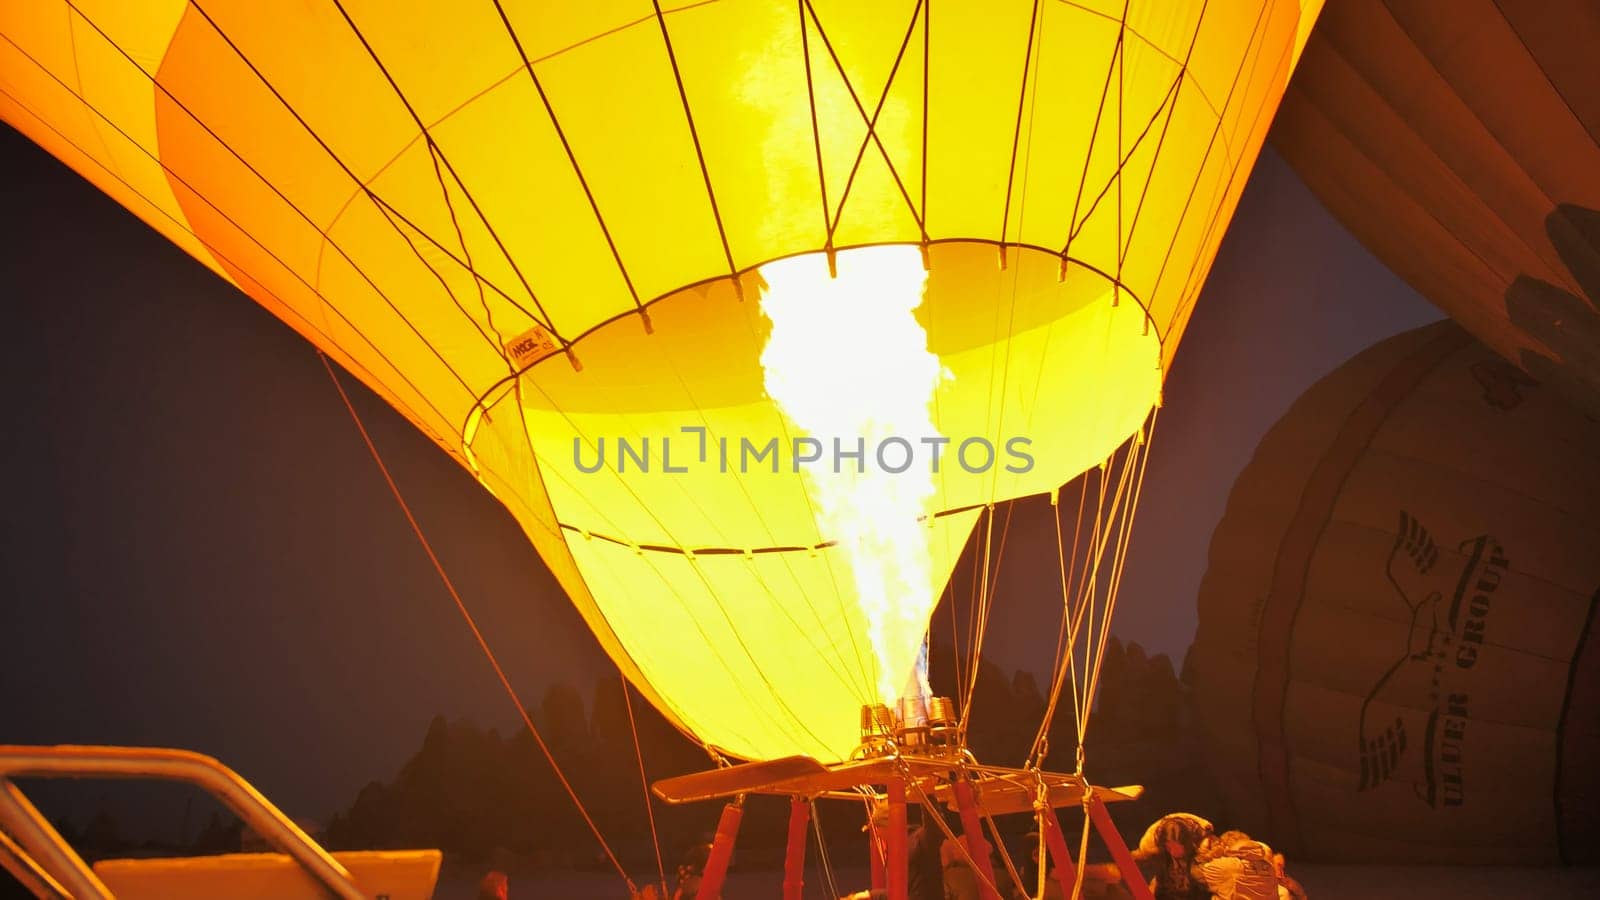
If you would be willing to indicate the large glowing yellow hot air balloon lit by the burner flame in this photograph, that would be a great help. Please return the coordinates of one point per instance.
(558, 238)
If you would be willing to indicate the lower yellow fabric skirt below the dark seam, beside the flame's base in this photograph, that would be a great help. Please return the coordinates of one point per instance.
(761, 656)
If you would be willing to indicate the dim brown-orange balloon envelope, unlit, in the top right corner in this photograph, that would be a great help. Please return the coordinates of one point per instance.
(1462, 143)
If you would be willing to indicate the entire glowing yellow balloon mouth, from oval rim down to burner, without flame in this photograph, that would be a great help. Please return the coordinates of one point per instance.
(1082, 379)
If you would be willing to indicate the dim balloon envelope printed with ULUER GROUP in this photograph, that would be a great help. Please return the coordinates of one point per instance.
(1398, 654)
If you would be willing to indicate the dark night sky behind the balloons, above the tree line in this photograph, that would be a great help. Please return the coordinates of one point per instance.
(201, 553)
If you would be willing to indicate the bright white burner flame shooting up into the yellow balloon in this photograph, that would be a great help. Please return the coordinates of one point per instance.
(849, 363)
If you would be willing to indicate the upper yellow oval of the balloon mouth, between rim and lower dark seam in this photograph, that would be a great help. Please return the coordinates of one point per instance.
(698, 377)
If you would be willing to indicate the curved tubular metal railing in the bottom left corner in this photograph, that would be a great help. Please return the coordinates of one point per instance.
(46, 864)
